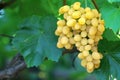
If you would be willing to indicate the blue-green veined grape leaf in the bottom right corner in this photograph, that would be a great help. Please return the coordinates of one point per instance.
(109, 69)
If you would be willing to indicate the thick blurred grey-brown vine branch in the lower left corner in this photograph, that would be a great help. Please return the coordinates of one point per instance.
(16, 65)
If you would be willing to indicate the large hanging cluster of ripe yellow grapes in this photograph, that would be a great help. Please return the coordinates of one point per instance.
(82, 28)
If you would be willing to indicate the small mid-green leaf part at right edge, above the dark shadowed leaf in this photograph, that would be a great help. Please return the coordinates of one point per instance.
(110, 35)
